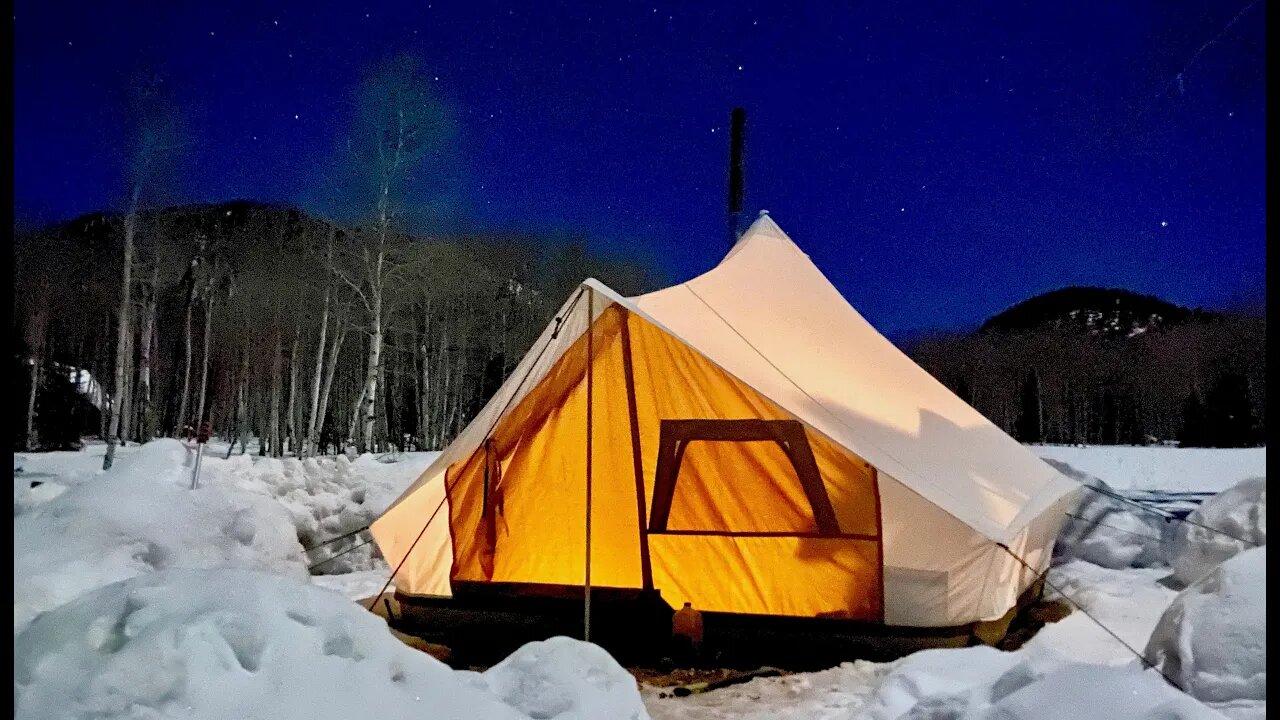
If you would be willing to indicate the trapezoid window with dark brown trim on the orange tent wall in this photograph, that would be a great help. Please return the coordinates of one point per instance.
(676, 438)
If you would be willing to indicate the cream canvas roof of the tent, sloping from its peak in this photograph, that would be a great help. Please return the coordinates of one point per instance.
(767, 316)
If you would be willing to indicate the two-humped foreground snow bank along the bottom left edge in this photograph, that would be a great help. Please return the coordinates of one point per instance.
(237, 644)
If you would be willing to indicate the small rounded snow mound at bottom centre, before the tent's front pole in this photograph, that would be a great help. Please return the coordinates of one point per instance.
(564, 678)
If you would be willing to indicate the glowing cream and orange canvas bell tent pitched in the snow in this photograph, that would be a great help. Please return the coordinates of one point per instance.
(746, 443)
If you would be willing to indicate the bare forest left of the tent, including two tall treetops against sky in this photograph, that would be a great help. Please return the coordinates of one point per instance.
(341, 326)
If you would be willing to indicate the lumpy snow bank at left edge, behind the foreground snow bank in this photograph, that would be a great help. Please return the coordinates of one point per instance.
(139, 518)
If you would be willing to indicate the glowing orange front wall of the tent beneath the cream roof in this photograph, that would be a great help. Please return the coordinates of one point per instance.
(533, 528)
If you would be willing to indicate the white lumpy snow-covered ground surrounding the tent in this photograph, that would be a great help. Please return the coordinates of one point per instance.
(132, 569)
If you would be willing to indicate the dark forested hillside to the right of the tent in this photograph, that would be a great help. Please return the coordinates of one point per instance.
(1200, 384)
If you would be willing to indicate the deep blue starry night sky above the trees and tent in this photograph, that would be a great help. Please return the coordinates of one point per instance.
(939, 161)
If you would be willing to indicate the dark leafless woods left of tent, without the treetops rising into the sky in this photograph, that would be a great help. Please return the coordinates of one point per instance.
(259, 321)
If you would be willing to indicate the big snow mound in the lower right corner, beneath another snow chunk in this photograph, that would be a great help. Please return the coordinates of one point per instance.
(1213, 639)
